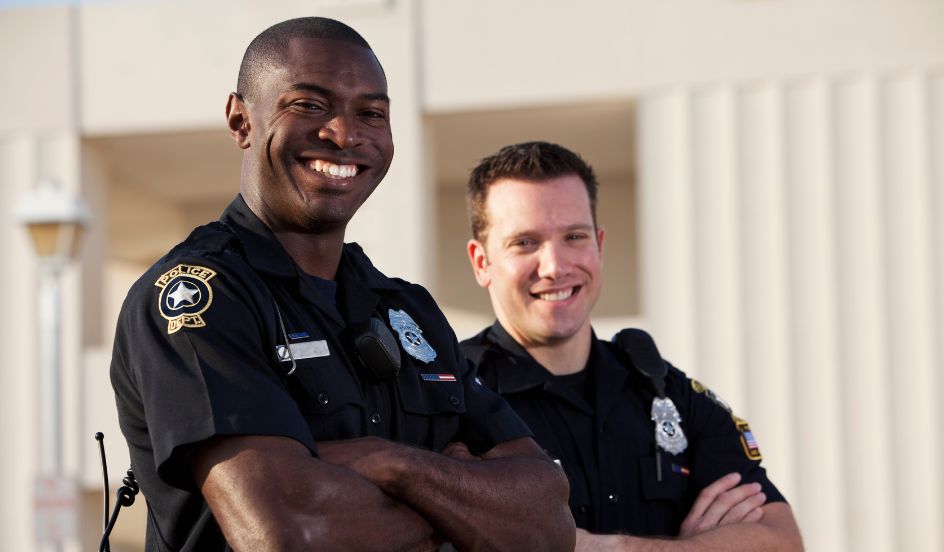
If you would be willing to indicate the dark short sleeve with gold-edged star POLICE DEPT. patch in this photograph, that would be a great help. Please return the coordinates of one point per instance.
(193, 361)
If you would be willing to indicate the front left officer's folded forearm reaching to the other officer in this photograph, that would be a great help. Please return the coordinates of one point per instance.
(511, 498)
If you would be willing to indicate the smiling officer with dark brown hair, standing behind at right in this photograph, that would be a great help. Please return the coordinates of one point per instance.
(648, 452)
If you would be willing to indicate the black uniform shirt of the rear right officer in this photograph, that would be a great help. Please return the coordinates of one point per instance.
(607, 448)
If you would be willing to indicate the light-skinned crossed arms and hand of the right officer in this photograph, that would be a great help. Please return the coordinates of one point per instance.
(725, 517)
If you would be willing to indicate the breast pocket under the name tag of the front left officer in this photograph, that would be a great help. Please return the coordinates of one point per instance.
(329, 399)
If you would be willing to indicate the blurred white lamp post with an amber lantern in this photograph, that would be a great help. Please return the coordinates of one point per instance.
(55, 220)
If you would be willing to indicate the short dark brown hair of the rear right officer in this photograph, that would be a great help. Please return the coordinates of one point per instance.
(531, 161)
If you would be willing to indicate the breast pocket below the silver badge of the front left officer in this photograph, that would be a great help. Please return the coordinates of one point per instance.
(432, 403)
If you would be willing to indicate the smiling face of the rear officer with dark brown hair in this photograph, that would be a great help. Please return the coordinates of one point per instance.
(541, 259)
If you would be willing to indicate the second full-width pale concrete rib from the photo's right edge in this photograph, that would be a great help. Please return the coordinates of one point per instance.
(863, 352)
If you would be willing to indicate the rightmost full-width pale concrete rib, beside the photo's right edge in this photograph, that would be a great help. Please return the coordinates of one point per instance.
(915, 406)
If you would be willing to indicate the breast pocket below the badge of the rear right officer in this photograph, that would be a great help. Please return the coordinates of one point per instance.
(666, 499)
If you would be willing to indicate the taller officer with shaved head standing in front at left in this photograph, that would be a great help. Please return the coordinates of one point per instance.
(276, 390)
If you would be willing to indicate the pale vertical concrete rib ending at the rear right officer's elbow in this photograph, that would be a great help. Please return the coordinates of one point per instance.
(765, 341)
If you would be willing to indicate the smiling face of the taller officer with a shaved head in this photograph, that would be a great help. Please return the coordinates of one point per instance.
(317, 135)
